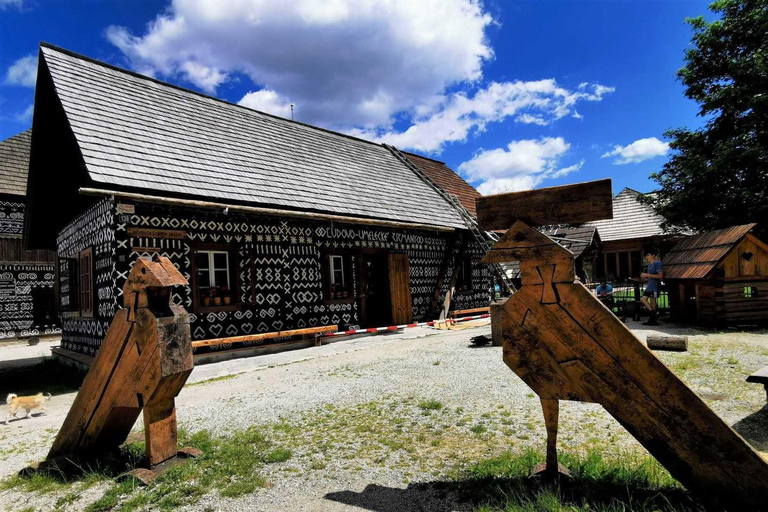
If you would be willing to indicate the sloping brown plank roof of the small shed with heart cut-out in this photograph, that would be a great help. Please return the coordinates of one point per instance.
(696, 256)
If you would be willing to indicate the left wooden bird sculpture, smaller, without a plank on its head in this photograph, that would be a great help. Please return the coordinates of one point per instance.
(143, 363)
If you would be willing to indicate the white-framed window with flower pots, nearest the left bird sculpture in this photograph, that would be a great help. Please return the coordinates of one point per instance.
(213, 278)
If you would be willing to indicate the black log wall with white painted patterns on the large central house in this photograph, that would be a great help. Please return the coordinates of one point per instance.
(279, 266)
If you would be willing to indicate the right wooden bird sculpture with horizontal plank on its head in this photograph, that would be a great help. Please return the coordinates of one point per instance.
(566, 345)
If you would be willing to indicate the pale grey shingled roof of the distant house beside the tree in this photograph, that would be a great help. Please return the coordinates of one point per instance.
(631, 219)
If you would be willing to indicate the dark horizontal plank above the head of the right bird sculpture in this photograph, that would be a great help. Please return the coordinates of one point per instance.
(568, 204)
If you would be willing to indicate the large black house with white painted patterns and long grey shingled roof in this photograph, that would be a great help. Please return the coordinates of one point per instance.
(276, 224)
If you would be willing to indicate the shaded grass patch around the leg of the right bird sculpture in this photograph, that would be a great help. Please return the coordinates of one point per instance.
(622, 483)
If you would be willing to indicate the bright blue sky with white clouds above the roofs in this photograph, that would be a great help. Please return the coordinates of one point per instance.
(513, 94)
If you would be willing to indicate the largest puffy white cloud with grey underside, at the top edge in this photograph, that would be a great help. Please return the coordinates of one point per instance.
(346, 62)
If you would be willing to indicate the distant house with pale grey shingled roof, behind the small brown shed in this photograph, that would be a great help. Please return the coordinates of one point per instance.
(634, 226)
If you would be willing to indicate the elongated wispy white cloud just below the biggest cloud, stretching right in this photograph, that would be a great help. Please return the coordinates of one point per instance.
(458, 115)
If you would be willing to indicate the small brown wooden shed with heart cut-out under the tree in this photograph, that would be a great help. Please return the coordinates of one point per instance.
(719, 277)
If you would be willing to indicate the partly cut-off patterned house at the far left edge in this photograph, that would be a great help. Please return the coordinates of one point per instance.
(26, 277)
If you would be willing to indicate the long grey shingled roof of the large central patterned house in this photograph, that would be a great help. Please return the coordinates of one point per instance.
(139, 133)
